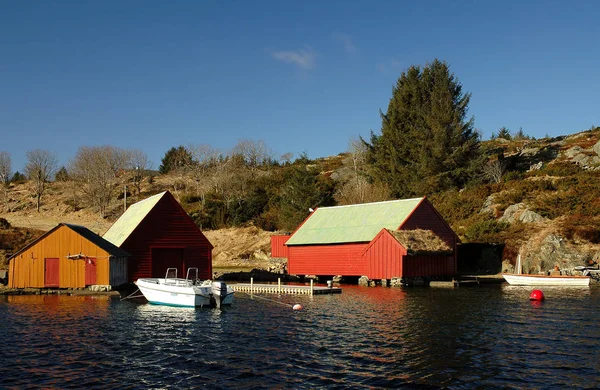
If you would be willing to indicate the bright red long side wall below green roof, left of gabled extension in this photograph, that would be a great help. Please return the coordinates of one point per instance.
(336, 259)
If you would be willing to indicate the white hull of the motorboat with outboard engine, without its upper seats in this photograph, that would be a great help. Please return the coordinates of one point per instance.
(179, 292)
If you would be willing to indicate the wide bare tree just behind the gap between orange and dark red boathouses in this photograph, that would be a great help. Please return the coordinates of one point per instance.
(99, 169)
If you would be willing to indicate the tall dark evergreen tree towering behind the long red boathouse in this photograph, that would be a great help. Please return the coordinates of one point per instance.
(427, 143)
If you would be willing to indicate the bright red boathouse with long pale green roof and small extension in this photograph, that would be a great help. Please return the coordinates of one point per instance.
(364, 240)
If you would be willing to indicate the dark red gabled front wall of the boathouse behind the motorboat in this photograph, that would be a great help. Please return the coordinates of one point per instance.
(167, 225)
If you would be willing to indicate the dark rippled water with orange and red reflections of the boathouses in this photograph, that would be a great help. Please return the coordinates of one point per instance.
(489, 337)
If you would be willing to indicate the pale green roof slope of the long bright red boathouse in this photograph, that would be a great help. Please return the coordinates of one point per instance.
(353, 223)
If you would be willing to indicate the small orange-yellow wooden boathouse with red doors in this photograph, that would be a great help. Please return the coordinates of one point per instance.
(62, 258)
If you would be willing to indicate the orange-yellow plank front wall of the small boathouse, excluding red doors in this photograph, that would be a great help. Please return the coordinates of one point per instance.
(27, 269)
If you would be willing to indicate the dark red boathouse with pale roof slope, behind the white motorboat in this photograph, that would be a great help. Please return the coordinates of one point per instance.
(159, 234)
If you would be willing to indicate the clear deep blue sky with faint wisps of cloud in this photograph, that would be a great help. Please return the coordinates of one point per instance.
(303, 76)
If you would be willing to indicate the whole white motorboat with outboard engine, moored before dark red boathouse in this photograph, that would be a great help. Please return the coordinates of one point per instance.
(188, 292)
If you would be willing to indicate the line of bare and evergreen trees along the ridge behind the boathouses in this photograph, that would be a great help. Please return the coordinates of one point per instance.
(427, 144)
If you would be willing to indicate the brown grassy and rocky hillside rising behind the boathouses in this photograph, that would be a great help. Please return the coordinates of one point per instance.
(540, 198)
